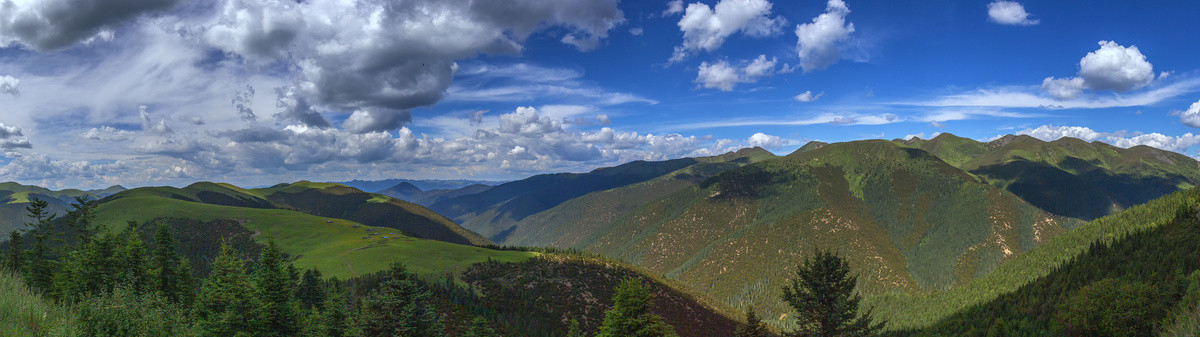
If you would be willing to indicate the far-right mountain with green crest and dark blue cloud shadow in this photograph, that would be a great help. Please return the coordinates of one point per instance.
(1069, 177)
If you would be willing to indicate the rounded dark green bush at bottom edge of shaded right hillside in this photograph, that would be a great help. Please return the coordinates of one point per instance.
(1112, 308)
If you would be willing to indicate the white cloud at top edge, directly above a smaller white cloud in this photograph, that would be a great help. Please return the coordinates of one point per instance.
(707, 28)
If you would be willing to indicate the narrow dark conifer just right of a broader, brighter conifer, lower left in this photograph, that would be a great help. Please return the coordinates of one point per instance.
(277, 294)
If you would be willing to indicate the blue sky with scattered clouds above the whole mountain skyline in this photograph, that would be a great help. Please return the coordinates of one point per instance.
(141, 93)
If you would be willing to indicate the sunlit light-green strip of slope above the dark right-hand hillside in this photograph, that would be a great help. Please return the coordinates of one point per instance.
(915, 311)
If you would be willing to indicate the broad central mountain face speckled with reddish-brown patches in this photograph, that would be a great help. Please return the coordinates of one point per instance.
(907, 220)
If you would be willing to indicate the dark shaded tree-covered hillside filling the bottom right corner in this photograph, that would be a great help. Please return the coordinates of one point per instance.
(1142, 285)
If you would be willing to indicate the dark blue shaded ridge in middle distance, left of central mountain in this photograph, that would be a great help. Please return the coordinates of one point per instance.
(495, 212)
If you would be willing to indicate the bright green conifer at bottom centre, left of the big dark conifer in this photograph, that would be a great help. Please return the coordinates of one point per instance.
(631, 315)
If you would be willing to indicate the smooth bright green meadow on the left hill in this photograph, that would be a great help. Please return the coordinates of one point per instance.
(334, 246)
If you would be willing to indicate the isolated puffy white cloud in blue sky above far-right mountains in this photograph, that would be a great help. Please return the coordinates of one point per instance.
(1114, 68)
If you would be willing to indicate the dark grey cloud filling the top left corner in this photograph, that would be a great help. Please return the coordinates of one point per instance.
(49, 26)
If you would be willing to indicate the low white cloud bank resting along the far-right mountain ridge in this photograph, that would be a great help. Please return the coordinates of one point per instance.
(1120, 140)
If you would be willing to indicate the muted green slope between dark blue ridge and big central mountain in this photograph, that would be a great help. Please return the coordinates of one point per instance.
(569, 224)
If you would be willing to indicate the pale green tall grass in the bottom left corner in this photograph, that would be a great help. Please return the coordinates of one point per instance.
(27, 314)
